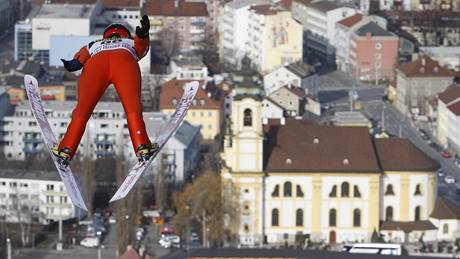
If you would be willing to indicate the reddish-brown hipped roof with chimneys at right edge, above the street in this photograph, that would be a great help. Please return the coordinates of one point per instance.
(424, 66)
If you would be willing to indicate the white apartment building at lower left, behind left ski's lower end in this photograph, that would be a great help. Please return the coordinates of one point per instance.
(33, 196)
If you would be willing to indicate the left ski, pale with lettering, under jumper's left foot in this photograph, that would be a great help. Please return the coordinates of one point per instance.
(66, 174)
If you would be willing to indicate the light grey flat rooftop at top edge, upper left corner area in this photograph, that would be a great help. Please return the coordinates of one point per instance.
(74, 11)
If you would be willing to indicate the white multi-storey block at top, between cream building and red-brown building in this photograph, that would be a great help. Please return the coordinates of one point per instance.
(321, 19)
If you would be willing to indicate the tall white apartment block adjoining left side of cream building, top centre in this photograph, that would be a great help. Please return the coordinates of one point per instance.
(233, 30)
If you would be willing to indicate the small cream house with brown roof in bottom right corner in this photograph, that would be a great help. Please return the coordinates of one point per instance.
(446, 217)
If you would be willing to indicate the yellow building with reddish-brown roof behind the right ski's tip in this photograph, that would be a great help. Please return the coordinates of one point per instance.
(207, 108)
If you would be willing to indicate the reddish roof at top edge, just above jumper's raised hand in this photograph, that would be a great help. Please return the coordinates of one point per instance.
(167, 8)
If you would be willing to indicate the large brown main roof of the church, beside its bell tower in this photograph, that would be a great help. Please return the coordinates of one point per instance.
(299, 146)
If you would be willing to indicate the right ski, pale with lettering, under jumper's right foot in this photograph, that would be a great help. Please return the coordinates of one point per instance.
(136, 172)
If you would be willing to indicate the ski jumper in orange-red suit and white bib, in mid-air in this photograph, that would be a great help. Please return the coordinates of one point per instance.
(112, 59)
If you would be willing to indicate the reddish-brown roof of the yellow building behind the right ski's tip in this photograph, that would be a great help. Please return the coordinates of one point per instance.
(211, 98)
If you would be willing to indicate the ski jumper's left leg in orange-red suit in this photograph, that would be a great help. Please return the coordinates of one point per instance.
(93, 82)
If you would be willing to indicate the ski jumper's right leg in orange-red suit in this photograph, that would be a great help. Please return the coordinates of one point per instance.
(126, 77)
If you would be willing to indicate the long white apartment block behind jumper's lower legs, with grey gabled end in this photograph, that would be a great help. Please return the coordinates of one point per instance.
(106, 135)
